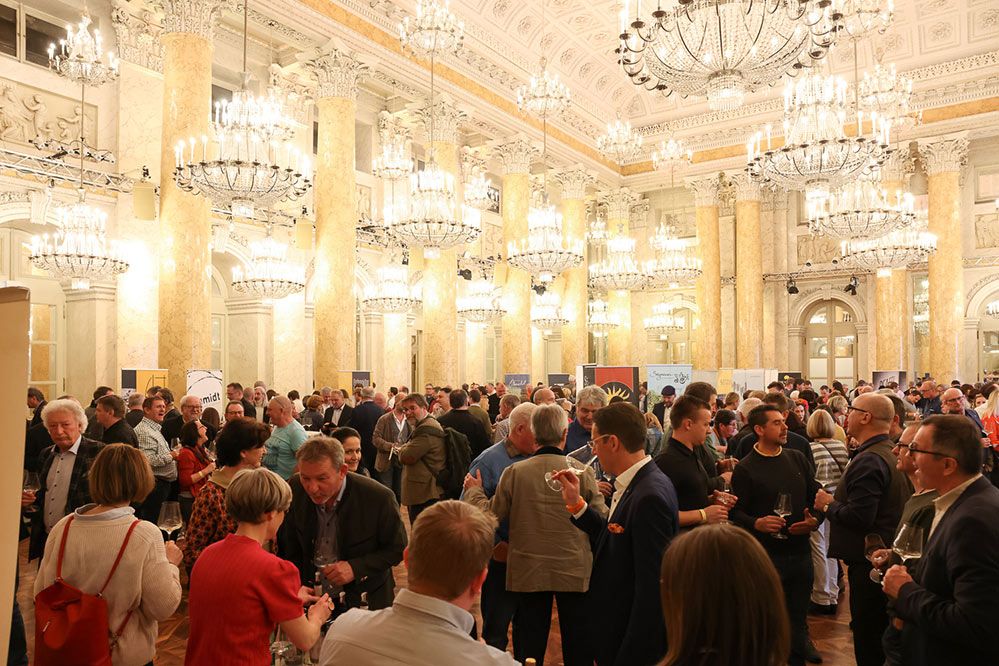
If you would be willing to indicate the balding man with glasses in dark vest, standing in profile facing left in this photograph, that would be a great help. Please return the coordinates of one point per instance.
(869, 500)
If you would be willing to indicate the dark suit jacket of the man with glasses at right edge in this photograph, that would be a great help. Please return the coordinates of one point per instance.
(951, 609)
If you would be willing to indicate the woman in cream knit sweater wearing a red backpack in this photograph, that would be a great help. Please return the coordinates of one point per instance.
(146, 582)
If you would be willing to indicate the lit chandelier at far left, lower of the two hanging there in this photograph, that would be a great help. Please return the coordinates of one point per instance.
(79, 250)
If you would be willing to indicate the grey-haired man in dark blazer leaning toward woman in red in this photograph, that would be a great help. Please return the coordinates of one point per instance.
(346, 517)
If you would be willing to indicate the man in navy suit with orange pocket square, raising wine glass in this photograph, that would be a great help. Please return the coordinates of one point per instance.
(626, 612)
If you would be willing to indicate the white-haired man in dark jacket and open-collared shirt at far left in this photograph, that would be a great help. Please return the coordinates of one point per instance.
(63, 471)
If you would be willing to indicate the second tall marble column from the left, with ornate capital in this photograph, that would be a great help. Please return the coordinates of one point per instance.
(336, 235)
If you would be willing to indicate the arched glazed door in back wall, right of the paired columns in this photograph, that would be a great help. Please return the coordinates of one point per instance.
(830, 349)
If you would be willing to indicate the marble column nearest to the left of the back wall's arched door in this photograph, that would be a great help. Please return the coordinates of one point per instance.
(748, 273)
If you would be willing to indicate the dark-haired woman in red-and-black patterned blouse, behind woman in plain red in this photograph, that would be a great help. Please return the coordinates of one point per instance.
(239, 446)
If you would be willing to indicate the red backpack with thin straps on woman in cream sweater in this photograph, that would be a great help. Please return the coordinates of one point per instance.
(71, 626)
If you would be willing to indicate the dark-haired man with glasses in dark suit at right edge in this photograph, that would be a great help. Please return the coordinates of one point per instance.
(947, 602)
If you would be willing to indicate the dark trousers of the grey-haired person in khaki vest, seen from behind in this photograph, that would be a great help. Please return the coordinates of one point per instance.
(532, 622)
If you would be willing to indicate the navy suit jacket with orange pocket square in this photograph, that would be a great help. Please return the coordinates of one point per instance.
(624, 587)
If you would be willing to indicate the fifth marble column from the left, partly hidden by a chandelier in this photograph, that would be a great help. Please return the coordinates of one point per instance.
(574, 181)
